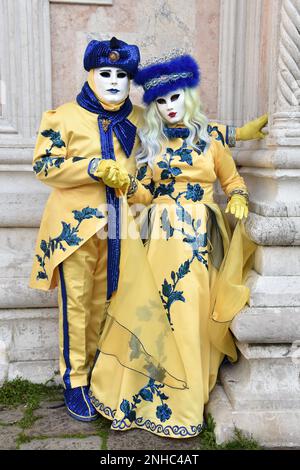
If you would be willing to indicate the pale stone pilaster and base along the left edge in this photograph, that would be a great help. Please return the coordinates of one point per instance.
(28, 334)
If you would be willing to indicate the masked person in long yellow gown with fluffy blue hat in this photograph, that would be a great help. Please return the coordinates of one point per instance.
(199, 267)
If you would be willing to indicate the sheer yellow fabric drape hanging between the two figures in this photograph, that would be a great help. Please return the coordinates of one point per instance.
(135, 316)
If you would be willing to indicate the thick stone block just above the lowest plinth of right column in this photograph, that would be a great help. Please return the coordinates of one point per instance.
(265, 377)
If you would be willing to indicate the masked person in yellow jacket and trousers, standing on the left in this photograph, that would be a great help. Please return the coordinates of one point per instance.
(76, 142)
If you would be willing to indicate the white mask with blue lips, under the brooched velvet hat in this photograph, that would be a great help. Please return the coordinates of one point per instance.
(112, 84)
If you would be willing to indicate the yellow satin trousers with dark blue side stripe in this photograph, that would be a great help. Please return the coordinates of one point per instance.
(81, 300)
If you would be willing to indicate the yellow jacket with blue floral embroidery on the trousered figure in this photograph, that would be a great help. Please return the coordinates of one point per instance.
(68, 141)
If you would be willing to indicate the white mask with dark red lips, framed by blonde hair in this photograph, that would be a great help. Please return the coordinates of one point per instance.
(171, 107)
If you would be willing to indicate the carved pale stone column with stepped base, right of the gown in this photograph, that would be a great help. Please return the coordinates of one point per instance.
(260, 394)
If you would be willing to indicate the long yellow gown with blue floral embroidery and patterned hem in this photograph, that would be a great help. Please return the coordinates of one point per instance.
(199, 269)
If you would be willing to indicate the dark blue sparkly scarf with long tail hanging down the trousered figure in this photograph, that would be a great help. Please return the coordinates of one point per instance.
(125, 131)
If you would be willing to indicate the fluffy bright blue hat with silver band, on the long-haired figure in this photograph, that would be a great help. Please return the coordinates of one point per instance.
(171, 72)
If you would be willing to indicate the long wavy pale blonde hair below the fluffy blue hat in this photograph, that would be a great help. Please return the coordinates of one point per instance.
(152, 133)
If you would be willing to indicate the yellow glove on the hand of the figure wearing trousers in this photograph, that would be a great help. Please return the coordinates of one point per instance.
(113, 174)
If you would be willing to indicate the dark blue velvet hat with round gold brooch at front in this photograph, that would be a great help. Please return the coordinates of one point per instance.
(113, 53)
